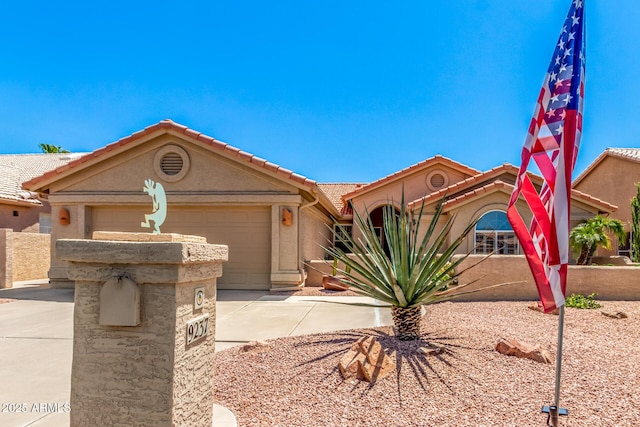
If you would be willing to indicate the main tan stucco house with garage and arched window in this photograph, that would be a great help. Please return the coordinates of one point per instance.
(273, 220)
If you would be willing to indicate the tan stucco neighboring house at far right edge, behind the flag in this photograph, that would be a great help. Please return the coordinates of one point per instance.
(613, 176)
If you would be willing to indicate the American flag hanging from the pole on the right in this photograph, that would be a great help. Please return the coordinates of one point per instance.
(552, 142)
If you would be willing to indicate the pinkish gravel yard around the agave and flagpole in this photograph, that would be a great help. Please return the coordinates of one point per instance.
(297, 382)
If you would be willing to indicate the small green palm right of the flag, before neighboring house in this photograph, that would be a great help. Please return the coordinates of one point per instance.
(585, 238)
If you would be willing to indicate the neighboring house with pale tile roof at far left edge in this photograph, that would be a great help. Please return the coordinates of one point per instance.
(22, 210)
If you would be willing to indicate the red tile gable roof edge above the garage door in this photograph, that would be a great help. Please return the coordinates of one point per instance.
(171, 126)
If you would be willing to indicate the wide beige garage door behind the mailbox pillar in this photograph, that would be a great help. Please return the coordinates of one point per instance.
(246, 230)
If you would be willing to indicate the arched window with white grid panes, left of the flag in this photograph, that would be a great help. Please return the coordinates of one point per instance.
(493, 233)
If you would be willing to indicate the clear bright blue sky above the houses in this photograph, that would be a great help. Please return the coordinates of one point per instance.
(338, 91)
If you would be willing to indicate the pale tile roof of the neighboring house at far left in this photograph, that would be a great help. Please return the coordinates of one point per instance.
(18, 168)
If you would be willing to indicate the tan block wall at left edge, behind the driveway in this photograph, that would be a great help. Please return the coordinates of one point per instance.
(23, 256)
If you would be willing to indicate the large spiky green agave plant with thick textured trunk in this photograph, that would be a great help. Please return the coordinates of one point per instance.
(415, 270)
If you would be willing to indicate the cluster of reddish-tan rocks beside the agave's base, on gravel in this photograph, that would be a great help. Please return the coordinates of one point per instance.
(366, 360)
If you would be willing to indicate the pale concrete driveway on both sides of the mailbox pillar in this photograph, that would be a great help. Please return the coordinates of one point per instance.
(36, 339)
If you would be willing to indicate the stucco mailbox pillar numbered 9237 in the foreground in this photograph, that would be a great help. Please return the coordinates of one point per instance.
(158, 372)
